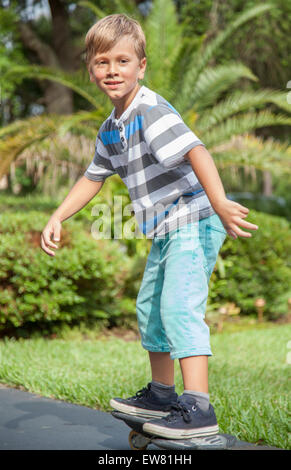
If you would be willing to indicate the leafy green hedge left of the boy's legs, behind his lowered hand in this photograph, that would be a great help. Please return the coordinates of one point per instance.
(86, 279)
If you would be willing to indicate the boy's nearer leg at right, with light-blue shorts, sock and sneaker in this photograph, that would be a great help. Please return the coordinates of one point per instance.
(189, 262)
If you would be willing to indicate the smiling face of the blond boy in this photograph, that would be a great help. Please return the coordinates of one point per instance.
(117, 71)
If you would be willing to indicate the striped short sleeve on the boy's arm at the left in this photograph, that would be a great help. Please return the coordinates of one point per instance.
(100, 167)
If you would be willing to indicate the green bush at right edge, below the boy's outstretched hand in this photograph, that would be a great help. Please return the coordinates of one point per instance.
(259, 267)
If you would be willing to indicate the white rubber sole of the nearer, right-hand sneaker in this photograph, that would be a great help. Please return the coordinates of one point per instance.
(168, 433)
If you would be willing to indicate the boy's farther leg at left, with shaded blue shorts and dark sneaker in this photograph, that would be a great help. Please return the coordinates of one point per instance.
(157, 397)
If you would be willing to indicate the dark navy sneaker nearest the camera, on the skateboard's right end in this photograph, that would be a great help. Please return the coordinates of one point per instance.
(186, 420)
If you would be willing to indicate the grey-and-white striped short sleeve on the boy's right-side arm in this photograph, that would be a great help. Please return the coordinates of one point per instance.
(167, 136)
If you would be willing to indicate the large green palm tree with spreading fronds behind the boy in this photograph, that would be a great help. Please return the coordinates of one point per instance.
(206, 96)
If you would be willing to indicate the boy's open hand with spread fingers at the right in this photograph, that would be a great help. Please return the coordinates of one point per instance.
(232, 215)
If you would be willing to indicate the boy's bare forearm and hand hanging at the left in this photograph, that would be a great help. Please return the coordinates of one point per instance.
(78, 197)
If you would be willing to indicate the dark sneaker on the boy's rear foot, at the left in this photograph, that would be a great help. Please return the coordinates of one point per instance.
(145, 403)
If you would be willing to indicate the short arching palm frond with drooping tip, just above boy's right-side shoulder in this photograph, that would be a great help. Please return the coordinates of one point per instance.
(211, 83)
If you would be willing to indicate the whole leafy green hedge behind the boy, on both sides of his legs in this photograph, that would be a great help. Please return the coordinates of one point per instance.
(97, 281)
